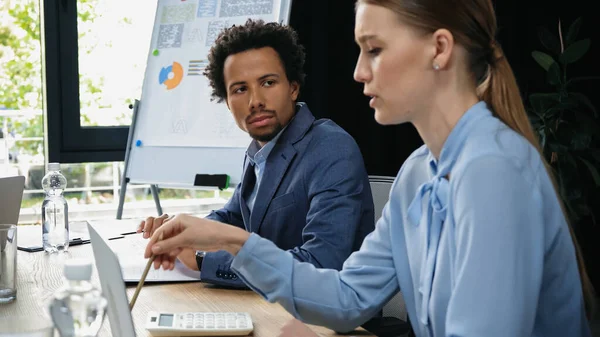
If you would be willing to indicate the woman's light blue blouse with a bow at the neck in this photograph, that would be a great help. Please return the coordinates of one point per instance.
(476, 241)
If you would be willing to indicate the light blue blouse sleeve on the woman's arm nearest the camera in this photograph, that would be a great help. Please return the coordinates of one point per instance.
(499, 258)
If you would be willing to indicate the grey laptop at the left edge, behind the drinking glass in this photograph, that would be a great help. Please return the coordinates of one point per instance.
(11, 194)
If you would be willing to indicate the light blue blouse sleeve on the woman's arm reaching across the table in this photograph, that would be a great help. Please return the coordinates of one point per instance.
(340, 300)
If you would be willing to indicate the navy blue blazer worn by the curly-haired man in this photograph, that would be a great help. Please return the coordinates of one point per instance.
(314, 199)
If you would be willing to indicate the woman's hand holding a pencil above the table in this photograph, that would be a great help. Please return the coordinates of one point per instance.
(184, 231)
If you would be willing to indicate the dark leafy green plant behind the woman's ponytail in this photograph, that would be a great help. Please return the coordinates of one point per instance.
(566, 122)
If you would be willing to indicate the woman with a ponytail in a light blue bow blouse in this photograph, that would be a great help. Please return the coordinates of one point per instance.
(473, 235)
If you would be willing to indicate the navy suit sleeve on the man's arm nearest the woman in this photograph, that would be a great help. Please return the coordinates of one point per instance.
(336, 190)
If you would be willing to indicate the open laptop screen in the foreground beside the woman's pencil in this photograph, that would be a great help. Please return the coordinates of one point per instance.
(113, 286)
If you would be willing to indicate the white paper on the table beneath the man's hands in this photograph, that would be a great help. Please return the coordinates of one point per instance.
(130, 251)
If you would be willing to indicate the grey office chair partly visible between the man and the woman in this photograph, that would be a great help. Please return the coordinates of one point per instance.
(394, 321)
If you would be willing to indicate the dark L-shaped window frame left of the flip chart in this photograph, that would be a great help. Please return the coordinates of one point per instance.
(67, 141)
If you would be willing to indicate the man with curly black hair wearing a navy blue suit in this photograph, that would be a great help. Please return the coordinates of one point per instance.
(304, 183)
